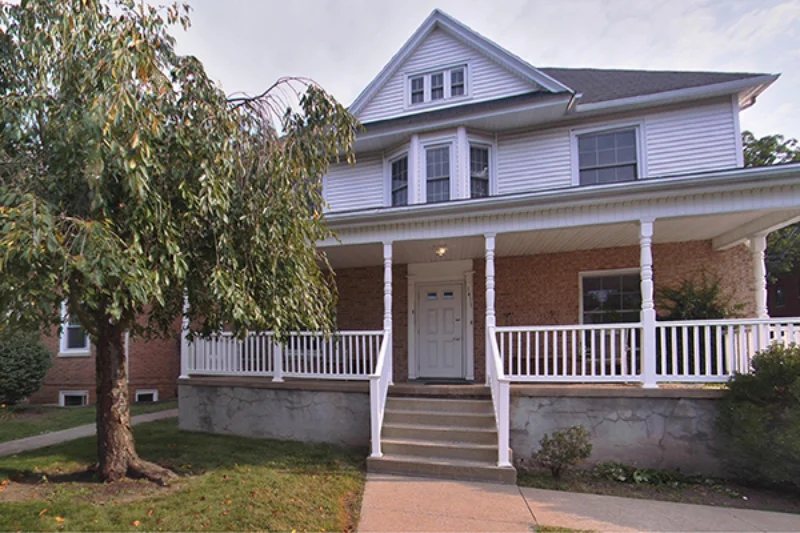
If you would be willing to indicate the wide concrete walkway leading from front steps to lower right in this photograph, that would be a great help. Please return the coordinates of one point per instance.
(396, 503)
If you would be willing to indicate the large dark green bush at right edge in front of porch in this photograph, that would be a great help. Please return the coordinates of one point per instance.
(759, 420)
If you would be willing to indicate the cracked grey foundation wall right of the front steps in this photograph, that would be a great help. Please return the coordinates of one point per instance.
(651, 432)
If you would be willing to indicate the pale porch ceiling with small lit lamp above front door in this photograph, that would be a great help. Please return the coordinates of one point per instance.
(543, 241)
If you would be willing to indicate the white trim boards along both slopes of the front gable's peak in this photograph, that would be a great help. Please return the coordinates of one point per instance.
(443, 21)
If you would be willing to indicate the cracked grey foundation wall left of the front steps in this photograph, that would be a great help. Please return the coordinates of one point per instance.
(281, 413)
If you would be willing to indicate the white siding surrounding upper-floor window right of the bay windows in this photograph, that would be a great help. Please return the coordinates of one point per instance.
(674, 142)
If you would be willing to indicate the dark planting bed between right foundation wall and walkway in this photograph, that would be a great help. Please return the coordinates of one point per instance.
(708, 491)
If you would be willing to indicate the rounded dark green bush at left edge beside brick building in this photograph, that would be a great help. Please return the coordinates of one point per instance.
(23, 364)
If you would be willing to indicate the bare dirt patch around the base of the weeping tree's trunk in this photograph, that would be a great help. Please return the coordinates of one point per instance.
(84, 485)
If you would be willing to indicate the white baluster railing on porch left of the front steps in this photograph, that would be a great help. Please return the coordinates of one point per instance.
(343, 355)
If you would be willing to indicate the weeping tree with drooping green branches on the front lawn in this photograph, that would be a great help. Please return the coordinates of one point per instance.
(129, 181)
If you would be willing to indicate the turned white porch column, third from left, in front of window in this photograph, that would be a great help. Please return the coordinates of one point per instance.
(648, 318)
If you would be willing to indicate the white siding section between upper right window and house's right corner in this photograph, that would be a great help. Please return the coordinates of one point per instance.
(691, 140)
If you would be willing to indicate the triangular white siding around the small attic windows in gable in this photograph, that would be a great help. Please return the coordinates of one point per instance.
(486, 79)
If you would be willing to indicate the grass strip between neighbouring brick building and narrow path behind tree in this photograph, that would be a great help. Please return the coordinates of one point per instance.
(22, 421)
